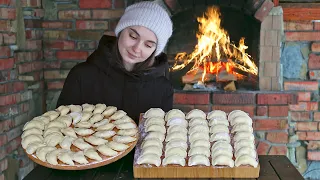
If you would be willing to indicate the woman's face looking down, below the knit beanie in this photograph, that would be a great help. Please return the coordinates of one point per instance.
(136, 44)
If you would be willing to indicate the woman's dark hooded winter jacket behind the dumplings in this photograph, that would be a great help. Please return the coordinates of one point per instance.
(100, 80)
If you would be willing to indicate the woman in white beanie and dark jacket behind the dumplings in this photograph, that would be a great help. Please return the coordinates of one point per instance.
(126, 71)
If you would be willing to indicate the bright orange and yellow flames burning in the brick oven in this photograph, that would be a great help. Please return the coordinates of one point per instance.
(214, 44)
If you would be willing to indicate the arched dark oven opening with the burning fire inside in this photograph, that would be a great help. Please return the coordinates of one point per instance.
(214, 48)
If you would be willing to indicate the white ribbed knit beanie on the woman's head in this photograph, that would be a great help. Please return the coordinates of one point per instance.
(151, 16)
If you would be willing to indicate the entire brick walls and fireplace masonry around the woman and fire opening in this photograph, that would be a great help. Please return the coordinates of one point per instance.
(40, 41)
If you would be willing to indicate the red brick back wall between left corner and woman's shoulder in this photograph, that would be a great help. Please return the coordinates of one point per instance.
(72, 36)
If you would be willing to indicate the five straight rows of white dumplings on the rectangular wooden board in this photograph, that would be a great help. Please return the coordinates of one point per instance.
(198, 133)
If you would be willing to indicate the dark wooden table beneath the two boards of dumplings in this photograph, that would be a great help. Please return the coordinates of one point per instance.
(273, 167)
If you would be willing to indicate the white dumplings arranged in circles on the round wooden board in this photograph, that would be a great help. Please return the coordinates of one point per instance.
(87, 129)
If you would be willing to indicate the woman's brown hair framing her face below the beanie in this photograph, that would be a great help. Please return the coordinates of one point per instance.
(138, 67)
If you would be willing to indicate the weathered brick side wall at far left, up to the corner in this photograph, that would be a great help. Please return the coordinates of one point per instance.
(20, 78)
